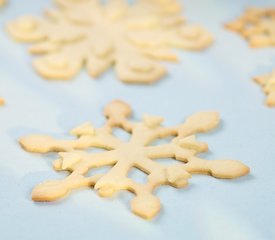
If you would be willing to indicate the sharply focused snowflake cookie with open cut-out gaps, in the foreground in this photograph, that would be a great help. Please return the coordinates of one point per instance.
(124, 156)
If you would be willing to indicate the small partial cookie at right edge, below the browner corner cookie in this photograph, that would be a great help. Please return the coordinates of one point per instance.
(267, 82)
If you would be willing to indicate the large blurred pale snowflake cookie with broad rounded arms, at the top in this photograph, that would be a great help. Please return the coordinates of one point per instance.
(133, 38)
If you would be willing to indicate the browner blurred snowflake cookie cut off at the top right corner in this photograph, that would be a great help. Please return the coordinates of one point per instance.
(257, 26)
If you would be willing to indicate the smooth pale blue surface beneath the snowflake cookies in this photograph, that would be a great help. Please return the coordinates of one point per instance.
(217, 79)
